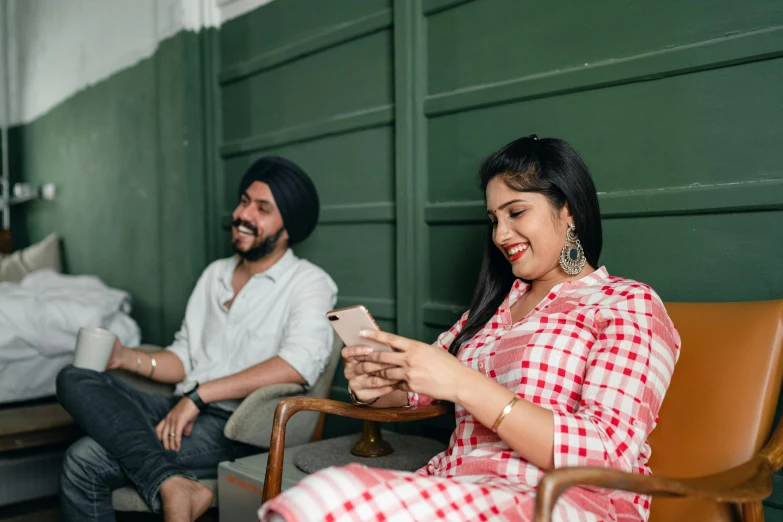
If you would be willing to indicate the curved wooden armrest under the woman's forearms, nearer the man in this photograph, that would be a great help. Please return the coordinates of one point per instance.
(288, 407)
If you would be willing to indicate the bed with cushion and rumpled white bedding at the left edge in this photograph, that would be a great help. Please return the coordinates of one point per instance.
(41, 311)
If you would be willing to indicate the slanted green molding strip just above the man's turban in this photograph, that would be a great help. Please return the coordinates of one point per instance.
(339, 124)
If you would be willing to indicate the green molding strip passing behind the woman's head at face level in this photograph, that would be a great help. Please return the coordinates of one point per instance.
(670, 201)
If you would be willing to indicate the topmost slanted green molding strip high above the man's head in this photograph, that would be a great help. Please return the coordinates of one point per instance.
(337, 35)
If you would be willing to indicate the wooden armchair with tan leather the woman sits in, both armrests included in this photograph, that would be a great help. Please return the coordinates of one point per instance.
(715, 419)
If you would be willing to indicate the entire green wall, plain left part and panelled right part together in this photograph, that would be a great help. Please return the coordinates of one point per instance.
(390, 105)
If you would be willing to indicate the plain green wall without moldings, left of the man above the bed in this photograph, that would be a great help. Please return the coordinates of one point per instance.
(129, 159)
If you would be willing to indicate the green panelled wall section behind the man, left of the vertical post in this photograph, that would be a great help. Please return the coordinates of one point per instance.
(304, 80)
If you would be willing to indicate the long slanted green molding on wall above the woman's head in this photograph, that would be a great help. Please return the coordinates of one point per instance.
(710, 54)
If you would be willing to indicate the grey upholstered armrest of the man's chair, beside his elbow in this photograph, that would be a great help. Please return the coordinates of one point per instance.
(250, 421)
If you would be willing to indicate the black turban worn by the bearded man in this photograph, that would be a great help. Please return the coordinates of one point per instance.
(293, 190)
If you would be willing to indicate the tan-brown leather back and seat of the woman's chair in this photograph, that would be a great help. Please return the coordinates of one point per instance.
(719, 409)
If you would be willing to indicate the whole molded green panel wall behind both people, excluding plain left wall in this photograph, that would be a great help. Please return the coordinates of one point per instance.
(391, 106)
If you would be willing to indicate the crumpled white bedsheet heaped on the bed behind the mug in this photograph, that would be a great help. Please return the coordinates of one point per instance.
(39, 320)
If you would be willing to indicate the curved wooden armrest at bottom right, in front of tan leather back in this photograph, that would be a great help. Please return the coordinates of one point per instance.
(748, 482)
